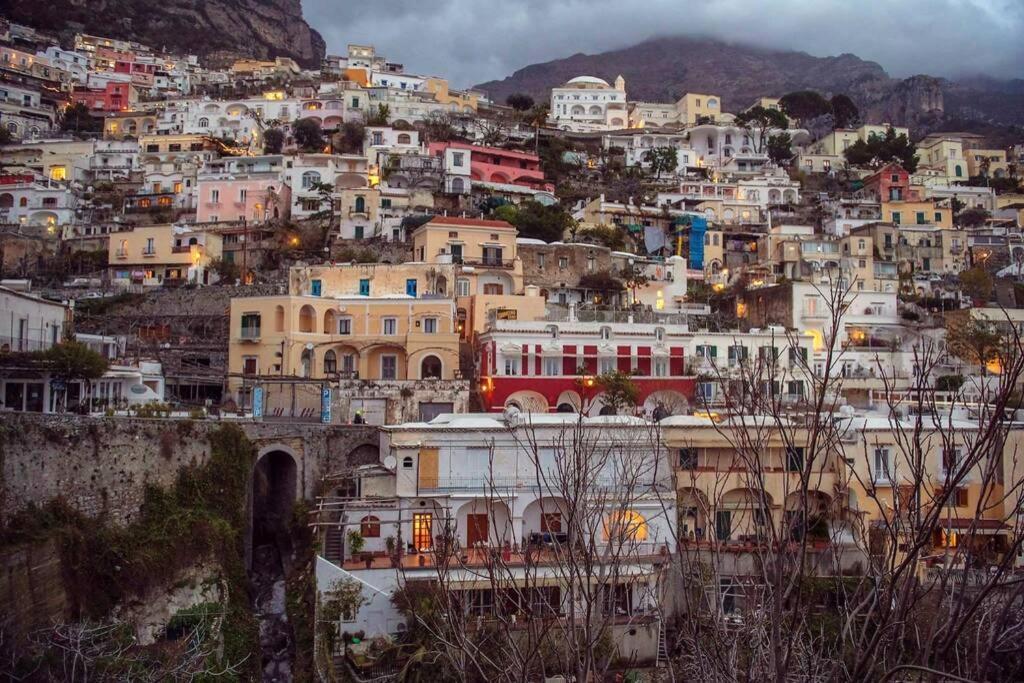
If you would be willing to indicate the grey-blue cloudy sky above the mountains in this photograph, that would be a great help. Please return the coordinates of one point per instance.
(472, 41)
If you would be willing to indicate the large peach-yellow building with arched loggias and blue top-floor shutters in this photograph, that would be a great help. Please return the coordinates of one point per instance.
(385, 336)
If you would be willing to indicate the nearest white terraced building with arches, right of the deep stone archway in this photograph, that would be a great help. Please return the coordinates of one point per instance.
(473, 481)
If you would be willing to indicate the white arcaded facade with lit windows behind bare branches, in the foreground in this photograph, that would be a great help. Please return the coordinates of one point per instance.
(471, 453)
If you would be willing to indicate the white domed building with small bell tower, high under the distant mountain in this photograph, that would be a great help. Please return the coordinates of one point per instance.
(589, 104)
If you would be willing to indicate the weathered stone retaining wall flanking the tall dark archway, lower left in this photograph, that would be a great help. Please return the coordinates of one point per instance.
(103, 465)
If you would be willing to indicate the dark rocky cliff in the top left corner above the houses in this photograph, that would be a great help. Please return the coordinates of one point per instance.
(221, 31)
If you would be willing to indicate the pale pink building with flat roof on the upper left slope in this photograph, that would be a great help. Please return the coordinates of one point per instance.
(243, 188)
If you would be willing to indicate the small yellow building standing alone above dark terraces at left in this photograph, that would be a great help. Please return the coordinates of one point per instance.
(162, 254)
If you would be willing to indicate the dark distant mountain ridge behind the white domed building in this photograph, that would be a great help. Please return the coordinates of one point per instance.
(663, 69)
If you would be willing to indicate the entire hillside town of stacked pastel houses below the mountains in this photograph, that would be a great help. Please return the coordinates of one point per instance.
(582, 390)
